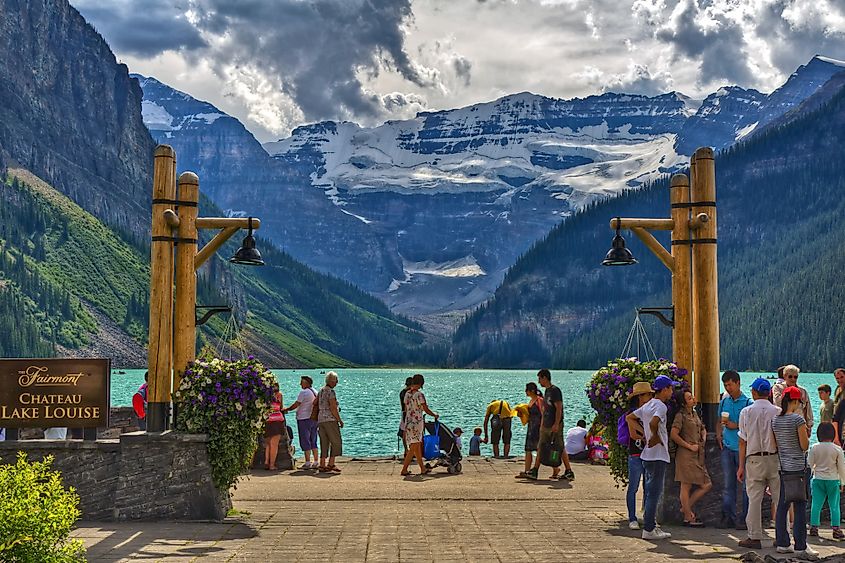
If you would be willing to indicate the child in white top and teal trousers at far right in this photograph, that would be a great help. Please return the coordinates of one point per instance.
(828, 464)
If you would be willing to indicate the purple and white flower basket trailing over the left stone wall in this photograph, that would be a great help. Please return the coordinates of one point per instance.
(228, 401)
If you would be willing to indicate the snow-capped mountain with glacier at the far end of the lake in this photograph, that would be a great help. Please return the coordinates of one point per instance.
(449, 199)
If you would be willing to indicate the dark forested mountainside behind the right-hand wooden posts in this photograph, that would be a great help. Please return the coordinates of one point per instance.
(780, 200)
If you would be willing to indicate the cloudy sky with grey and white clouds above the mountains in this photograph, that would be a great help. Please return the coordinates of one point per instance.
(276, 64)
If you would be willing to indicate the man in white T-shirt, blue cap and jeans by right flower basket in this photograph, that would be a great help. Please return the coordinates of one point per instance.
(655, 456)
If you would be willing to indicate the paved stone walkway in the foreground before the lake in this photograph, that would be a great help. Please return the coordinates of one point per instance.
(370, 513)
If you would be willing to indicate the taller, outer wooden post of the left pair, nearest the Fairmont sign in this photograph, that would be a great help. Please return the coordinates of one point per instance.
(159, 359)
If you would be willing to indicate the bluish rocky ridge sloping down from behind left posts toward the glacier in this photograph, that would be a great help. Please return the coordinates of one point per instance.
(242, 179)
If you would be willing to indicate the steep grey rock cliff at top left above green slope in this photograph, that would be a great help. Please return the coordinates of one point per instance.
(92, 147)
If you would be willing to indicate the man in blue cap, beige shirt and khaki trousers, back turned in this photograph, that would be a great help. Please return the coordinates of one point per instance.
(758, 460)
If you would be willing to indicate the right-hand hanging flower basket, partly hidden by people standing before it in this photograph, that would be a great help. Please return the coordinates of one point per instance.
(608, 392)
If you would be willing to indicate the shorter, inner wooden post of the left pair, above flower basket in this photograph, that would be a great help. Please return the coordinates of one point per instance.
(184, 329)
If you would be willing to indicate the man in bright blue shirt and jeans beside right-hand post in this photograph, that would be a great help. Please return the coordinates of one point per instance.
(727, 432)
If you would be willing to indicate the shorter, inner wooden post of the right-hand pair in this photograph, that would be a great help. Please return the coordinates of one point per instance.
(682, 352)
